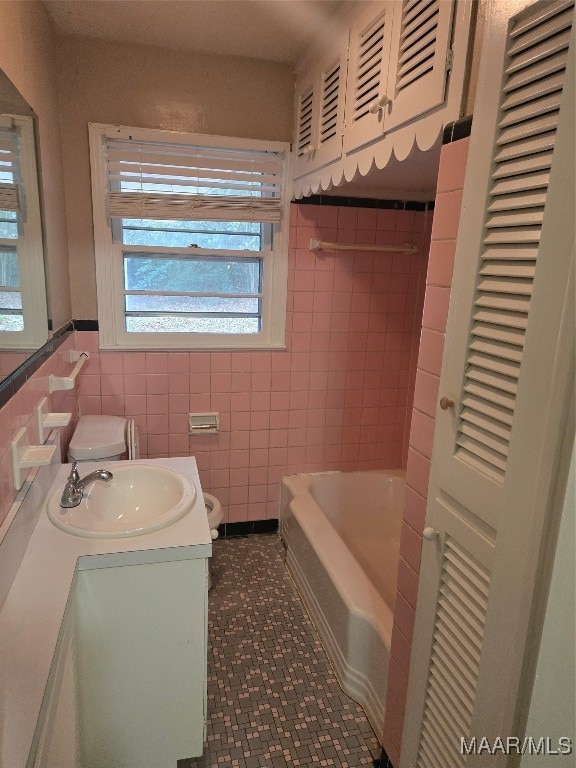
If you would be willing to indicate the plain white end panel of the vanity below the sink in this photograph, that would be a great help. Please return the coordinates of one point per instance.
(141, 663)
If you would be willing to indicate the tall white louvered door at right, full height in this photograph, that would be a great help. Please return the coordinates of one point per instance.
(507, 369)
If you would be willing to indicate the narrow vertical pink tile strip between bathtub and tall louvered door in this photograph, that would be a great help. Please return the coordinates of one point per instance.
(438, 284)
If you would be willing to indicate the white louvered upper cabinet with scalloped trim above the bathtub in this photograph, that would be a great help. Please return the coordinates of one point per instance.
(396, 76)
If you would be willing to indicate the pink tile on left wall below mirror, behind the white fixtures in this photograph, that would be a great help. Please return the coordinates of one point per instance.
(20, 412)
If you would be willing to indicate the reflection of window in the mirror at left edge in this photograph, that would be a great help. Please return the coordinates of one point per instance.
(22, 288)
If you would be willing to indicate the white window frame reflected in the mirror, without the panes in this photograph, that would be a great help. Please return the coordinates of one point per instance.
(28, 245)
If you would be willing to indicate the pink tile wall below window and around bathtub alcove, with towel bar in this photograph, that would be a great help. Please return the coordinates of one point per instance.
(336, 399)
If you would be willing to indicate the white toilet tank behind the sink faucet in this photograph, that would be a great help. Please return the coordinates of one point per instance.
(98, 437)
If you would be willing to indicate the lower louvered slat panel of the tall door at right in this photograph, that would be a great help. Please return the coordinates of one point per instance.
(455, 658)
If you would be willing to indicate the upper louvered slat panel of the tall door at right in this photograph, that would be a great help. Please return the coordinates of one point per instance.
(529, 113)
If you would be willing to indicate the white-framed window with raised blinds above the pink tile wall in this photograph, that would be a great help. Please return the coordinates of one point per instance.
(191, 239)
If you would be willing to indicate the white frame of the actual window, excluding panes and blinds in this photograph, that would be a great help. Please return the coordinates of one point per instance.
(109, 260)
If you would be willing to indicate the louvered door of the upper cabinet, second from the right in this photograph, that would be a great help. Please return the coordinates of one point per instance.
(366, 89)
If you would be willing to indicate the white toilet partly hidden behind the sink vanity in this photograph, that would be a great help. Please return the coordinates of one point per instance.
(112, 438)
